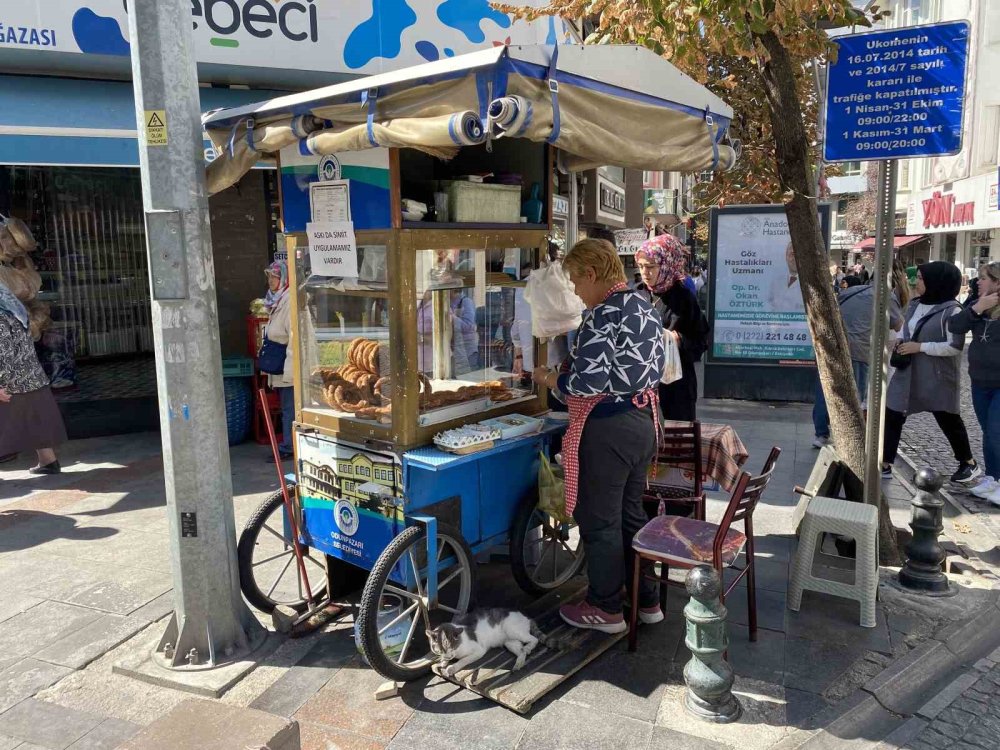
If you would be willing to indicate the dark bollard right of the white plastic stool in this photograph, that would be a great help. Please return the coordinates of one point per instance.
(924, 555)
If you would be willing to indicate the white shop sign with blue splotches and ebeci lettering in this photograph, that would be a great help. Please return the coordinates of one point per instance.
(319, 35)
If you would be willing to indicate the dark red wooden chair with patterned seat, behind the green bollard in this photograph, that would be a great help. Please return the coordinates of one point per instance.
(688, 542)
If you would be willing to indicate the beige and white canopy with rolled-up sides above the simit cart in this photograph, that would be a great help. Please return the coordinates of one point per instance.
(601, 105)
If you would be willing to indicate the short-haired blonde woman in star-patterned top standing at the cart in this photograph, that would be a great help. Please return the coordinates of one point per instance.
(609, 382)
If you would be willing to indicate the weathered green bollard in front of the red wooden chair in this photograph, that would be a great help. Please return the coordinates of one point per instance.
(708, 676)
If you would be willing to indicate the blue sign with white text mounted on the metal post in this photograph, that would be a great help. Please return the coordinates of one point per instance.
(897, 94)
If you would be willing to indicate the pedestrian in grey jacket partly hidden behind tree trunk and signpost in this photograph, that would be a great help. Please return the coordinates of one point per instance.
(857, 310)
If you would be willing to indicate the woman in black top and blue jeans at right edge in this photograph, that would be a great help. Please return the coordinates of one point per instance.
(982, 318)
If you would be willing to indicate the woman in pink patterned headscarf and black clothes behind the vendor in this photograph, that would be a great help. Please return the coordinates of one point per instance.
(661, 262)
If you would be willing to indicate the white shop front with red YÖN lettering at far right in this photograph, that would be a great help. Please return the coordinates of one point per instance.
(963, 221)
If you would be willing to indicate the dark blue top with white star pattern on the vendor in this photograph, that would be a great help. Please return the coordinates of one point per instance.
(618, 350)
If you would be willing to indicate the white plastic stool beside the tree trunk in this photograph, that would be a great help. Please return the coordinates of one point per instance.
(855, 520)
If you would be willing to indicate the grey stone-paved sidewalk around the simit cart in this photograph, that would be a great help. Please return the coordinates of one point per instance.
(84, 563)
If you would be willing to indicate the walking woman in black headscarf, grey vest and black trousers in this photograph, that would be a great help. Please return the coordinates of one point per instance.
(931, 381)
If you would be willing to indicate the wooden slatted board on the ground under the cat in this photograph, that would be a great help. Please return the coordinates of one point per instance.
(546, 668)
